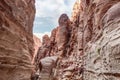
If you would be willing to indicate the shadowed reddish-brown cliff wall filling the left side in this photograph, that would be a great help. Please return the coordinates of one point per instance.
(16, 39)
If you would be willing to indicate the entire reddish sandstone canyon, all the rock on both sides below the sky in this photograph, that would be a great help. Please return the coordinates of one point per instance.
(83, 46)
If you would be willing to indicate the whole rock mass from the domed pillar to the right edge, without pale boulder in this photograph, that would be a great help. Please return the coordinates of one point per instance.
(88, 47)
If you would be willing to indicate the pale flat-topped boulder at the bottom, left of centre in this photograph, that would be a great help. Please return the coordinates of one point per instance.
(48, 63)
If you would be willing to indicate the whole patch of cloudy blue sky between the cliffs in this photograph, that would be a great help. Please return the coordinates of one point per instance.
(47, 14)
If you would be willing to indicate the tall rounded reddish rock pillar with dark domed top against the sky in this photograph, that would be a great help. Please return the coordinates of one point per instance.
(62, 34)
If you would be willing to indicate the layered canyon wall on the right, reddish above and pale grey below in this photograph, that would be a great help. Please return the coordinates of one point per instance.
(99, 25)
